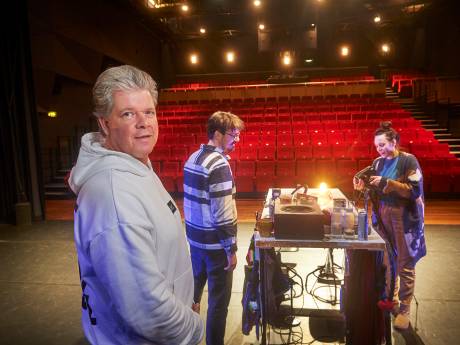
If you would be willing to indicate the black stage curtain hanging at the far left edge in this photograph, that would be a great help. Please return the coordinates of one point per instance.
(20, 166)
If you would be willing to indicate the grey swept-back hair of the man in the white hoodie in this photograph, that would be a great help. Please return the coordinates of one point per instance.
(121, 78)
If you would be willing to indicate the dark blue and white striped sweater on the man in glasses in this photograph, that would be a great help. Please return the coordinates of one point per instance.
(209, 200)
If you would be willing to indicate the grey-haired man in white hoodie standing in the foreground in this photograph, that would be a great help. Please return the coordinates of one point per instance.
(135, 267)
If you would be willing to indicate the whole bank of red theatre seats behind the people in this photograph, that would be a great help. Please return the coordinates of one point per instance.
(286, 143)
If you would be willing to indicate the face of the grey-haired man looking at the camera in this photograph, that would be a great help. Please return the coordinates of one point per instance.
(132, 125)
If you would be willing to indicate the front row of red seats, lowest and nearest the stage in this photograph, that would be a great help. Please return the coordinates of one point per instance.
(259, 176)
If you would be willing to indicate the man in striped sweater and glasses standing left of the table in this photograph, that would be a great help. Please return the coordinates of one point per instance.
(210, 219)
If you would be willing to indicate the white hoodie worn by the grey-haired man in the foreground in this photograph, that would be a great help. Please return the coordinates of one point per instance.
(135, 267)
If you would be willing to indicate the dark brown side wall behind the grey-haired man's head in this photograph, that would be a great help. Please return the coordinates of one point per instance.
(72, 42)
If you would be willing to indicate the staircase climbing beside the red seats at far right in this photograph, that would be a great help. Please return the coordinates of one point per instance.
(428, 122)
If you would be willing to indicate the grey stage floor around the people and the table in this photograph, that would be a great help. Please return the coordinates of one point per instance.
(40, 295)
